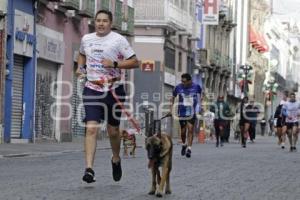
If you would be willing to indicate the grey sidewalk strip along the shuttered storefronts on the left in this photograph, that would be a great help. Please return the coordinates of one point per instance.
(51, 148)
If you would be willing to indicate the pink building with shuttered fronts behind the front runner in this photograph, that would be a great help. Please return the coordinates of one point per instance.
(60, 26)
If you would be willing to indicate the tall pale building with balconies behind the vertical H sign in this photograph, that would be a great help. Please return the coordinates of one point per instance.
(216, 52)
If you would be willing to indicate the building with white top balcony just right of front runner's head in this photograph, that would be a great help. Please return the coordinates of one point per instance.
(165, 35)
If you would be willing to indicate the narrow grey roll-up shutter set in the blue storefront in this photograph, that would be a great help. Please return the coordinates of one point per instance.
(17, 96)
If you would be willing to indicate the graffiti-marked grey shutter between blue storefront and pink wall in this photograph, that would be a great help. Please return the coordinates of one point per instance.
(46, 92)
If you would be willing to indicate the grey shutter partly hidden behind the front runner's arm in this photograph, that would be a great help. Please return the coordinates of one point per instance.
(77, 107)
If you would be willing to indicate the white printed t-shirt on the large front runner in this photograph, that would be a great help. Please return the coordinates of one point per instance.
(114, 47)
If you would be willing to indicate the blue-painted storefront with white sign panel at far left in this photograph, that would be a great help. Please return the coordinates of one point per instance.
(20, 74)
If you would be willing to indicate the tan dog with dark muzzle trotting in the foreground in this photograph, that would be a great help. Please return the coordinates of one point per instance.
(159, 149)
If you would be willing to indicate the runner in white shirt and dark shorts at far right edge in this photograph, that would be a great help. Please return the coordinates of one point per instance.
(291, 111)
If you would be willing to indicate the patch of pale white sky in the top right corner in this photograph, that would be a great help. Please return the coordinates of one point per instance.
(287, 10)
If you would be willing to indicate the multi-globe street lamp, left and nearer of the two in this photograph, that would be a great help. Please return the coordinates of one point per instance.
(244, 76)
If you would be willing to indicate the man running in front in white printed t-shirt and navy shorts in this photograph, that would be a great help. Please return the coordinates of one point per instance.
(103, 55)
